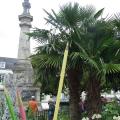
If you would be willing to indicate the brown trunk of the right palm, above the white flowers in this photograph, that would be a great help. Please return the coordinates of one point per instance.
(93, 96)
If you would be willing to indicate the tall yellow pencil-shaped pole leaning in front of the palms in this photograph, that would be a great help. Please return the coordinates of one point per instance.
(61, 83)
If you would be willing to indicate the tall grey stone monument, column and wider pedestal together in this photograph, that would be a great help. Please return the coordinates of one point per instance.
(23, 70)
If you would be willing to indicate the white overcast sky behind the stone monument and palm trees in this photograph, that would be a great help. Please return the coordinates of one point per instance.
(9, 24)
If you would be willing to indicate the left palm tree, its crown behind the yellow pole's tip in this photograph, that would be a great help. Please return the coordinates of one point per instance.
(65, 23)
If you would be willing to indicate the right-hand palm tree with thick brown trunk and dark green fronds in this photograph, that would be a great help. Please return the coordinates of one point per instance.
(102, 50)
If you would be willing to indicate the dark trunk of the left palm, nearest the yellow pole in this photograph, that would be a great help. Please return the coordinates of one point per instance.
(74, 88)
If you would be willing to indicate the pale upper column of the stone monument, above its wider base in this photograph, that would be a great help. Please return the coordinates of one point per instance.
(25, 24)
